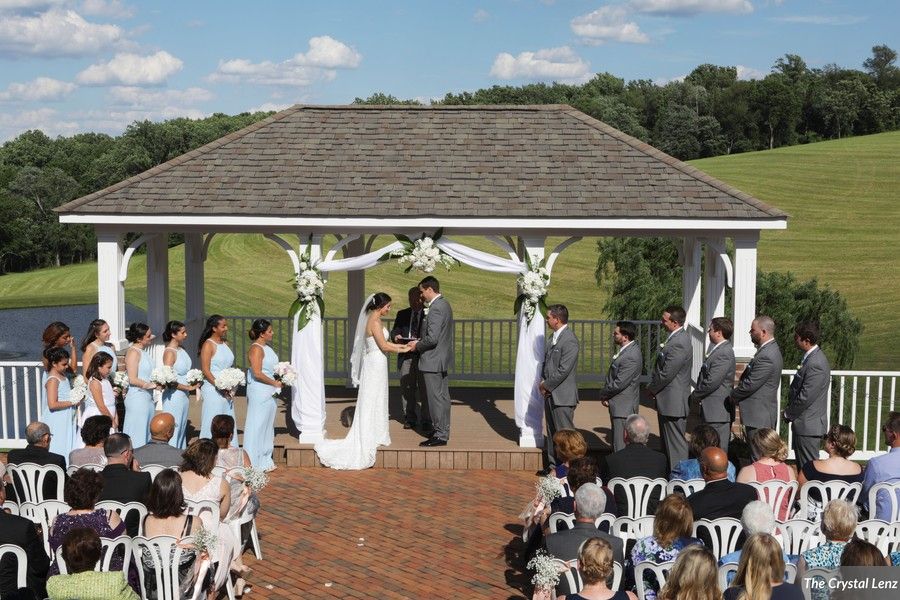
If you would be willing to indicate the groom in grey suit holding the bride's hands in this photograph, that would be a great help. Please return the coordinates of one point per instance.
(435, 353)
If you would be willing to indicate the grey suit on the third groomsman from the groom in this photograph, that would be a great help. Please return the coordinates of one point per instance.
(671, 384)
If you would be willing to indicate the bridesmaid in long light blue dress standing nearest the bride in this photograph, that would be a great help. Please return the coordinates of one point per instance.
(259, 428)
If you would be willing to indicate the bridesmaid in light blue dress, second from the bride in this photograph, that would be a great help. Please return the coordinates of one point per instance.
(215, 355)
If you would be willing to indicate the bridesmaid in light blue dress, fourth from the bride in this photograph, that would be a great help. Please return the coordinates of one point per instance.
(139, 405)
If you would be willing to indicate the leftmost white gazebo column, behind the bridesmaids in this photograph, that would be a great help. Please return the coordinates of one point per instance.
(110, 290)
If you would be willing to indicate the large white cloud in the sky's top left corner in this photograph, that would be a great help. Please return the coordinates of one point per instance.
(55, 33)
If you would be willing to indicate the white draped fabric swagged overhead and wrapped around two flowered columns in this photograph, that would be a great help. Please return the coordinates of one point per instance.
(308, 406)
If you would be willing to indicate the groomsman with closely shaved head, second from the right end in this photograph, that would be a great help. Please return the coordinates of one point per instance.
(757, 391)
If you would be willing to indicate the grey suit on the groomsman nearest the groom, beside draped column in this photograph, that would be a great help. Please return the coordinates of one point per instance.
(558, 374)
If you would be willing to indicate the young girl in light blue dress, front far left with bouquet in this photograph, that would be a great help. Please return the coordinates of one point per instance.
(58, 412)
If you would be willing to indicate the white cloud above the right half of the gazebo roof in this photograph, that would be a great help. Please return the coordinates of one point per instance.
(557, 64)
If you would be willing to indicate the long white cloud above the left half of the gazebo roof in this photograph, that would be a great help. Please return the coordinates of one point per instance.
(319, 63)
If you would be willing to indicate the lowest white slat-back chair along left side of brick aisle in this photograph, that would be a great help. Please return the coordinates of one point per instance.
(164, 553)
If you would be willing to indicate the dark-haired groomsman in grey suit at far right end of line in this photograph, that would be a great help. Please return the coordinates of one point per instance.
(808, 399)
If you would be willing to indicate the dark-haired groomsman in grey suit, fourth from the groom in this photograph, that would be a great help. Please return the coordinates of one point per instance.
(716, 380)
